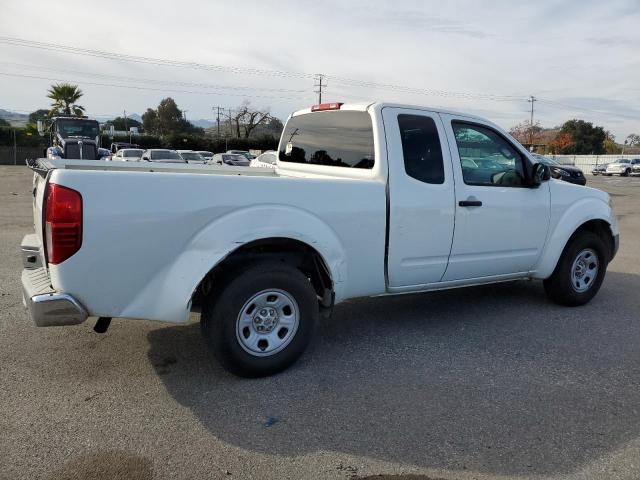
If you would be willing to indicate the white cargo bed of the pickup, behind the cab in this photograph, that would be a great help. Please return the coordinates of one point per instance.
(152, 231)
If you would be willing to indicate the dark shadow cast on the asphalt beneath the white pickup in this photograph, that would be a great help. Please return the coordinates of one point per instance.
(492, 379)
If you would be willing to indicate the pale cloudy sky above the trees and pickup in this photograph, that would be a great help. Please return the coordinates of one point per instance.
(579, 58)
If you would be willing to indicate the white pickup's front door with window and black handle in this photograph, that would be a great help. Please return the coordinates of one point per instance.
(501, 222)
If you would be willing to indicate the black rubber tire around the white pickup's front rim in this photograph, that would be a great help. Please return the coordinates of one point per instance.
(559, 286)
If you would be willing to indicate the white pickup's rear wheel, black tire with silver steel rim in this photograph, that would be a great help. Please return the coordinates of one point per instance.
(262, 321)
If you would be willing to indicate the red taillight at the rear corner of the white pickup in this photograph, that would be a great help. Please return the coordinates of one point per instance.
(63, 223)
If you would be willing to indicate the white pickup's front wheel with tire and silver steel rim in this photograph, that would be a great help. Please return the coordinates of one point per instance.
(580, 271)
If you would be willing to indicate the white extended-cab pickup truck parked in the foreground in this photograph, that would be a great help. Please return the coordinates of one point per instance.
(365, 200)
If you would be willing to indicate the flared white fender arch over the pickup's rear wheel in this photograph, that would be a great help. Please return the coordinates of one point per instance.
(171, 289)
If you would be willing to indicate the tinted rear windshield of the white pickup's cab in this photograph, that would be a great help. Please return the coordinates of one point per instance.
(333, 138)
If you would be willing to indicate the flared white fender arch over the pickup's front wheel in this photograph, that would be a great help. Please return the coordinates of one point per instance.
(567, 223)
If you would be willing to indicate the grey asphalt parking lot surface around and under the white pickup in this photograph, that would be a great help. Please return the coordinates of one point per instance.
(486, 382)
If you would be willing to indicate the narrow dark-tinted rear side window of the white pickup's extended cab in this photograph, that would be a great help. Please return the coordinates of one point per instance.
(421, 148)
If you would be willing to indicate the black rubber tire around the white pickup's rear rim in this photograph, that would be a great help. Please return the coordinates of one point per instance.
(220, 317)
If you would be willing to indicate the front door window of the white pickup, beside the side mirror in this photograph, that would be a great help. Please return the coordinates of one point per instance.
(487, 158)
